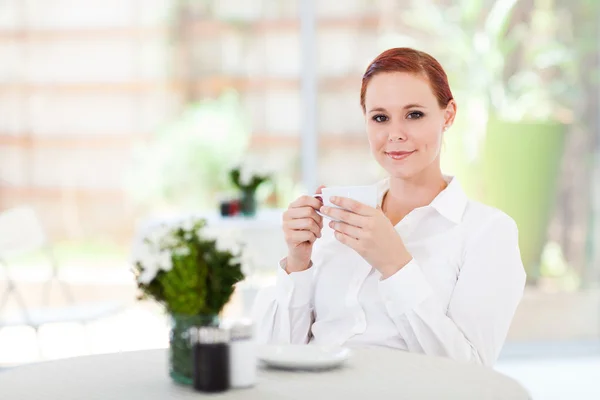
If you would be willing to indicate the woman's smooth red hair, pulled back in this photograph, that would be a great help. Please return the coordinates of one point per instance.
(404, 59)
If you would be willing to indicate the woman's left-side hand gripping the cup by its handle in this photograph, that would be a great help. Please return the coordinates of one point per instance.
(301, 228)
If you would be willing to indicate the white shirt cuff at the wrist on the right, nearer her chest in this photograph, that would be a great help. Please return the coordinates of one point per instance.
(404, 290)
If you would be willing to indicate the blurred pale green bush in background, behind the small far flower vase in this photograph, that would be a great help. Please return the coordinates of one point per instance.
(185, 165)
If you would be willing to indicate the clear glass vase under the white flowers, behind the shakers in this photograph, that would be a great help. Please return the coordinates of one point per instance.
(181, 366)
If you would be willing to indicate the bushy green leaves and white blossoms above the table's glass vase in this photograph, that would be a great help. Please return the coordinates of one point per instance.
(186, 271)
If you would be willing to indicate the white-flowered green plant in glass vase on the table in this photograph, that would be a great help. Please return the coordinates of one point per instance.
(193, 276)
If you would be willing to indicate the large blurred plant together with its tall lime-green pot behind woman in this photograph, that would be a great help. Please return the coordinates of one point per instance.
(511, 77)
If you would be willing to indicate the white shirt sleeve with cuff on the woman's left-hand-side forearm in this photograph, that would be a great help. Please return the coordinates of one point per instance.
(284, 313)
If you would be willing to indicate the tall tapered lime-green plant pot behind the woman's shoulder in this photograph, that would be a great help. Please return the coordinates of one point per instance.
(521, 162)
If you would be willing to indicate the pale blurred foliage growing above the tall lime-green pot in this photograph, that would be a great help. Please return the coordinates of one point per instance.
(518, 67)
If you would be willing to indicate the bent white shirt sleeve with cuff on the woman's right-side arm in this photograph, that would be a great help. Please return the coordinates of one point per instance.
(488, 290)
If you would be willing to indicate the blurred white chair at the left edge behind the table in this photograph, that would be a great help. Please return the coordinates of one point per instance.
(20, 233)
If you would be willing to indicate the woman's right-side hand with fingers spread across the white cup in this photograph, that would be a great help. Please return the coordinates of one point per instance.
(370, 233)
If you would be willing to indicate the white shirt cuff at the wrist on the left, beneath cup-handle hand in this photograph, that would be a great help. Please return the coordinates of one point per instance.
(295, 289)
